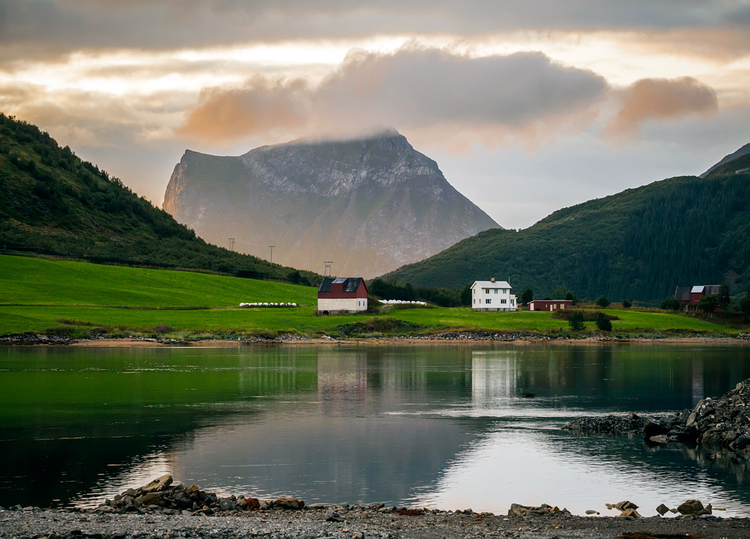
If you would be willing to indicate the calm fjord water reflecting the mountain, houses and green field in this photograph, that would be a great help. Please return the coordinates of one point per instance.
(452, 427)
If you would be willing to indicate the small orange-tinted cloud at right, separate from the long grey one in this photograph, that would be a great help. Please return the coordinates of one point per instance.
(661, 99)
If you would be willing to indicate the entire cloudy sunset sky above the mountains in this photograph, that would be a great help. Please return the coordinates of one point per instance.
(527, 106)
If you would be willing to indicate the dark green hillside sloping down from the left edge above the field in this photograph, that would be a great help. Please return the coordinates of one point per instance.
(52, 202)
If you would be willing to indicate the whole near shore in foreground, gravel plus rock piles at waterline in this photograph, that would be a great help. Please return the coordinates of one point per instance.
(162, 510)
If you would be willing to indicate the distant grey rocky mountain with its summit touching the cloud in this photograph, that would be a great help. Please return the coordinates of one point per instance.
(369, 205)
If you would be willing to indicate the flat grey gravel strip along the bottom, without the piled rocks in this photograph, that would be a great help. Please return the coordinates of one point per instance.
(355, 523)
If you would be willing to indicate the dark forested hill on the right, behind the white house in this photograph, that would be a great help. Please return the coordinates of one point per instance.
(639, 244)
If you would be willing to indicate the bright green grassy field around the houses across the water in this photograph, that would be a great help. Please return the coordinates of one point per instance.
(40, 295)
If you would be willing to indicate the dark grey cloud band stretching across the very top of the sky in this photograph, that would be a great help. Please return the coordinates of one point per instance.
(74, 24)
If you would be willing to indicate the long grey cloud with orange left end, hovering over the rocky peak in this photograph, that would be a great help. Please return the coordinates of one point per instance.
(411, 89)
